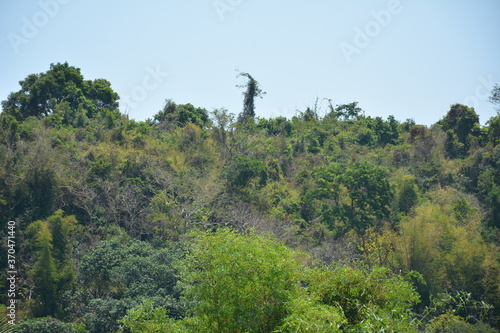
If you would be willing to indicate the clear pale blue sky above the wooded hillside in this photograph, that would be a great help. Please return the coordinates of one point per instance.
(407, 58)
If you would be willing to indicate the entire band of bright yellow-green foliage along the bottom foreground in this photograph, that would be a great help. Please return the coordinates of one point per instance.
(249, 283)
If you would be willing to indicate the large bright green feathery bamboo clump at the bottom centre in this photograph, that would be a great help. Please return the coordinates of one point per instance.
(238, 283)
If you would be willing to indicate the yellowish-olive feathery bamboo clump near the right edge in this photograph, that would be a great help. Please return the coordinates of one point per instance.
(442, 241)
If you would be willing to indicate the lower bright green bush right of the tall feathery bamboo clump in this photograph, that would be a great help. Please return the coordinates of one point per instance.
(370, 300)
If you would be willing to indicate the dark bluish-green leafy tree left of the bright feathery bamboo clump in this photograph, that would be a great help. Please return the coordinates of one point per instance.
(120, 273)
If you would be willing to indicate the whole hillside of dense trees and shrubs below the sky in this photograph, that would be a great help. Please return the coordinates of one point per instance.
(199, 221)
